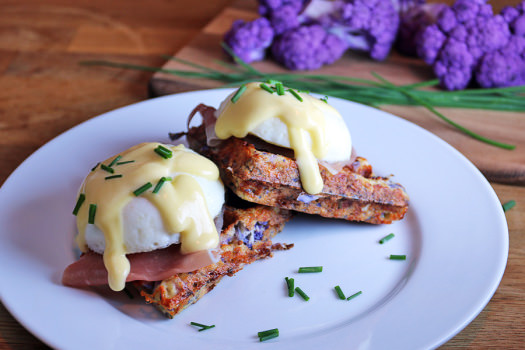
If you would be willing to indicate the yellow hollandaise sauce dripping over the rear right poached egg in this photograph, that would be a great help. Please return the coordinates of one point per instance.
(303, 116)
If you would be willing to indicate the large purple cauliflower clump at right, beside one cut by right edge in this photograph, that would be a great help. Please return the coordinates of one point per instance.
(459, 39)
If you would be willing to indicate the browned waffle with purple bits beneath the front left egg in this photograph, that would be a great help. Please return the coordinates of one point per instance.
(245, 238)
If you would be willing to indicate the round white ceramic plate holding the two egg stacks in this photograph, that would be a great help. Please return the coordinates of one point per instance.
(454, 235)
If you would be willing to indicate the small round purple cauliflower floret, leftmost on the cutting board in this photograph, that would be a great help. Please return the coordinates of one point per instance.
(249, 40)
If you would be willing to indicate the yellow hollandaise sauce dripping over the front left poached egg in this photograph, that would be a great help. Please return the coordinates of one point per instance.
(146, 170)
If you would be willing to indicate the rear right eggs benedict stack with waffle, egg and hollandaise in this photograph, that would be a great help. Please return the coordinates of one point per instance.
(283, 148)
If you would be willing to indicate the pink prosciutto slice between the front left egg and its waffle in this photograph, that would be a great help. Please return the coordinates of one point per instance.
(89, 269)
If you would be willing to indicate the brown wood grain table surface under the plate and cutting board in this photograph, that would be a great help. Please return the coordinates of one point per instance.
(44, 92)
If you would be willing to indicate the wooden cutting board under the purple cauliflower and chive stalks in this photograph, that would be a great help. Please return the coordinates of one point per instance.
(496, 164)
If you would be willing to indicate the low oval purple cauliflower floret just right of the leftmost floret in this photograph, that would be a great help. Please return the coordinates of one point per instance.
(307, 47)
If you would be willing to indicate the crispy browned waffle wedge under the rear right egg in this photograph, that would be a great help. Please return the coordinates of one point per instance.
(272, 179)
